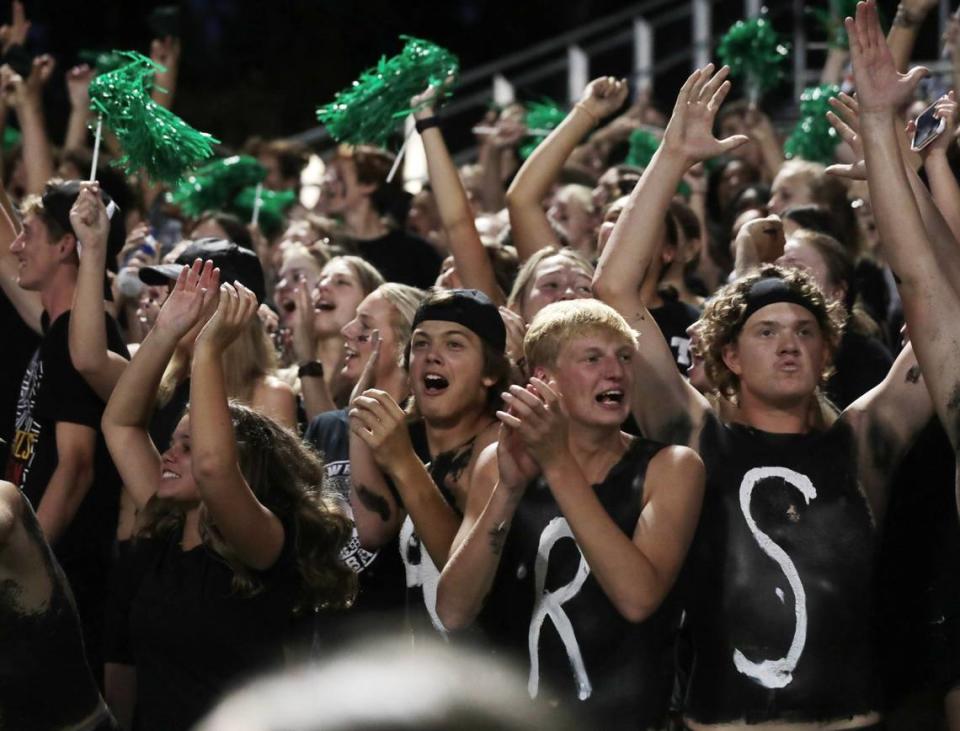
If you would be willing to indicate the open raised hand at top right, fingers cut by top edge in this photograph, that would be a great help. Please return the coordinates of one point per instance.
(880, 87)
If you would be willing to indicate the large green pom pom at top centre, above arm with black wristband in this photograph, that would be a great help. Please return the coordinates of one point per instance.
(367, 111)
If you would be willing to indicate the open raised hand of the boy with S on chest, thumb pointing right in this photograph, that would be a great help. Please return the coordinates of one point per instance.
(689, 132)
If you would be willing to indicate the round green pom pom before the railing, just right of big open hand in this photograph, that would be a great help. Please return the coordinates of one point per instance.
(754, 53)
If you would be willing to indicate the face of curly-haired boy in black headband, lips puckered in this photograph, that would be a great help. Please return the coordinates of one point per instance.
(779, 356)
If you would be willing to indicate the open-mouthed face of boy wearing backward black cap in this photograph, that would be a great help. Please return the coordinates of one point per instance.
(446, 371)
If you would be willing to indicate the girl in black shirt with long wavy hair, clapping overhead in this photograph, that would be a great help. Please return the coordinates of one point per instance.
(238, 534)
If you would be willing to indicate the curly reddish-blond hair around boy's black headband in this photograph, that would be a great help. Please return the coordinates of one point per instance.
(723, 320)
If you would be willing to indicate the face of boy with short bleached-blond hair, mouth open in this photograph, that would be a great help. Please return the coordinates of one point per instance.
(594, 372)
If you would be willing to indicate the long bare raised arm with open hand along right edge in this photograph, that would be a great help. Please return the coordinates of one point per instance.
(930, 299)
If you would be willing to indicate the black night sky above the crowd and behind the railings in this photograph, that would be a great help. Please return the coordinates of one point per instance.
(252, 67)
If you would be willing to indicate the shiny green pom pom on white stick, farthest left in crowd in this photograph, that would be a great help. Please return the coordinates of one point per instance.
(153, 138)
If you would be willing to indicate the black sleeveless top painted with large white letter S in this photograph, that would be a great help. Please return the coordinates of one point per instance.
(780, 579)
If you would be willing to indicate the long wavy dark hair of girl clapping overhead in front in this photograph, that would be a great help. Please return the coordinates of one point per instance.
(287, 477)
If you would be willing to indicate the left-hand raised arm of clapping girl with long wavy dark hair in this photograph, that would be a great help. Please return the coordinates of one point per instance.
(130, 407)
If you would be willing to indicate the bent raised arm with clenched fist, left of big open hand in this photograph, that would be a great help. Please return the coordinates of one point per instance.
(528, 221)
